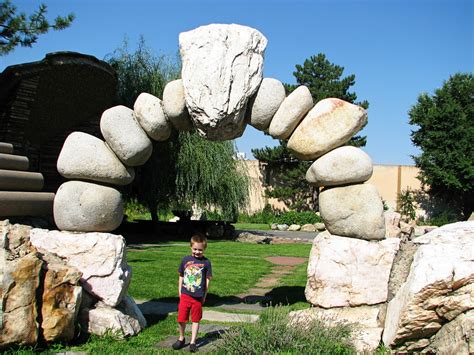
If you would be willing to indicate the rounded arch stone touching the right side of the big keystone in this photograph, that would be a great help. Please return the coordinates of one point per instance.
(265, 103)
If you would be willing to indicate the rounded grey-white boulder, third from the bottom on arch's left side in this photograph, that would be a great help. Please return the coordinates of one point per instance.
(125, 136)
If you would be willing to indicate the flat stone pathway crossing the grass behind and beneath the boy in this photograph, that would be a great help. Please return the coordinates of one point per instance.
(254, 300)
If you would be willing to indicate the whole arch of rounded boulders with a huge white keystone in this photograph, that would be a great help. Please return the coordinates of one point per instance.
(221, 91)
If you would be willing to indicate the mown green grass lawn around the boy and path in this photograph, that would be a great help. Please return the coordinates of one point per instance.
(236, 268)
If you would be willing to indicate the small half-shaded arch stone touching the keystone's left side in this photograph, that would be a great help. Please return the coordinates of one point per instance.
(174, 106)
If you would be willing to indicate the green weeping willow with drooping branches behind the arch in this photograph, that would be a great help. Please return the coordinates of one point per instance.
(186, 170)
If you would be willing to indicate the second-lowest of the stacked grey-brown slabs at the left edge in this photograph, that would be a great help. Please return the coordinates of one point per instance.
(11, 180)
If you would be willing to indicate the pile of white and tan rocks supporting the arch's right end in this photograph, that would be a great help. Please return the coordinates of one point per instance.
(416, 295)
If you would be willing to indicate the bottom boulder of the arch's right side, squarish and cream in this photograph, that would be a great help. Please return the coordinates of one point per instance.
(354, 211)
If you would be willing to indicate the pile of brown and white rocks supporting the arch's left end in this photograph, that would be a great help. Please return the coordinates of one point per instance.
(52, 281)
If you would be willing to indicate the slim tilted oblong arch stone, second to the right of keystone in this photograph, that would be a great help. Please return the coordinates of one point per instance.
(290, 113)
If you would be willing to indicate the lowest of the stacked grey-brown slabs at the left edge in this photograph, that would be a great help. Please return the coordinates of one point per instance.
(13, 203)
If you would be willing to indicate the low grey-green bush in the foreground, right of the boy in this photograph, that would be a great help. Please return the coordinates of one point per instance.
(272, 334)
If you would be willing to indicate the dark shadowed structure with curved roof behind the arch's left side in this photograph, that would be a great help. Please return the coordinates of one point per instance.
(42, 102)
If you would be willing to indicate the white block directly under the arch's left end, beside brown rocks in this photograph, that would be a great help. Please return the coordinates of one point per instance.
(99, 256)
